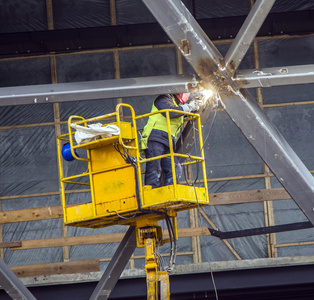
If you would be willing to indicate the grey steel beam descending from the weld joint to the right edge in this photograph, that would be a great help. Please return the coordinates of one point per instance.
(273, 149)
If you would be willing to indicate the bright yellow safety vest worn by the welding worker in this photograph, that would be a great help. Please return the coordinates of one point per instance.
(159, 122)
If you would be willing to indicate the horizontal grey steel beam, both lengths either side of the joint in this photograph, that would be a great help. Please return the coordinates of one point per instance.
(154, 85)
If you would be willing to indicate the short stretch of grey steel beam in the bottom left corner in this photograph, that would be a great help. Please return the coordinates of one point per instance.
(12, 284)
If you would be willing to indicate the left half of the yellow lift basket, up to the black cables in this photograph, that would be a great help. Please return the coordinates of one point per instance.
(110, 177)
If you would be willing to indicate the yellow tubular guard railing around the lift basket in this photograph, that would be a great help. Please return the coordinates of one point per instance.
(192, 159)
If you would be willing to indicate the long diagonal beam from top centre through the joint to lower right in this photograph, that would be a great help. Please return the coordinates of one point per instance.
(243, 110)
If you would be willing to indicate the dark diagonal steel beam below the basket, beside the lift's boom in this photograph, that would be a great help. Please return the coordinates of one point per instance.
(116, 266)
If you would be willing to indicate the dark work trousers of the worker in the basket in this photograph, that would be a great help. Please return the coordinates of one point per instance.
(154, 168)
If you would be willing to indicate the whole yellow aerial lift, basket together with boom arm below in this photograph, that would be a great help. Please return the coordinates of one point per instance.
(114, 173)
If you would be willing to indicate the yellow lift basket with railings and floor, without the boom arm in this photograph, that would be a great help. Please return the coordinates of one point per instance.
(114, 174)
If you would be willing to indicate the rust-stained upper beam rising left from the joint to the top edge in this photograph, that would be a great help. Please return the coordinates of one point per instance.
(192, 41)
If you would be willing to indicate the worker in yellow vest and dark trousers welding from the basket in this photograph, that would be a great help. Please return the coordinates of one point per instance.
(155, 141)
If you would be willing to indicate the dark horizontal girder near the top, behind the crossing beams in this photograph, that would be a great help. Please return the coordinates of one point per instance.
(30, 43)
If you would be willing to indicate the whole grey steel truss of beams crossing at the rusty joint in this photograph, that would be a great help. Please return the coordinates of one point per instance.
(213, 72)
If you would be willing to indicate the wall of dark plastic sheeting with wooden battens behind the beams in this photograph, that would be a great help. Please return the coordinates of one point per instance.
(28, 157)
